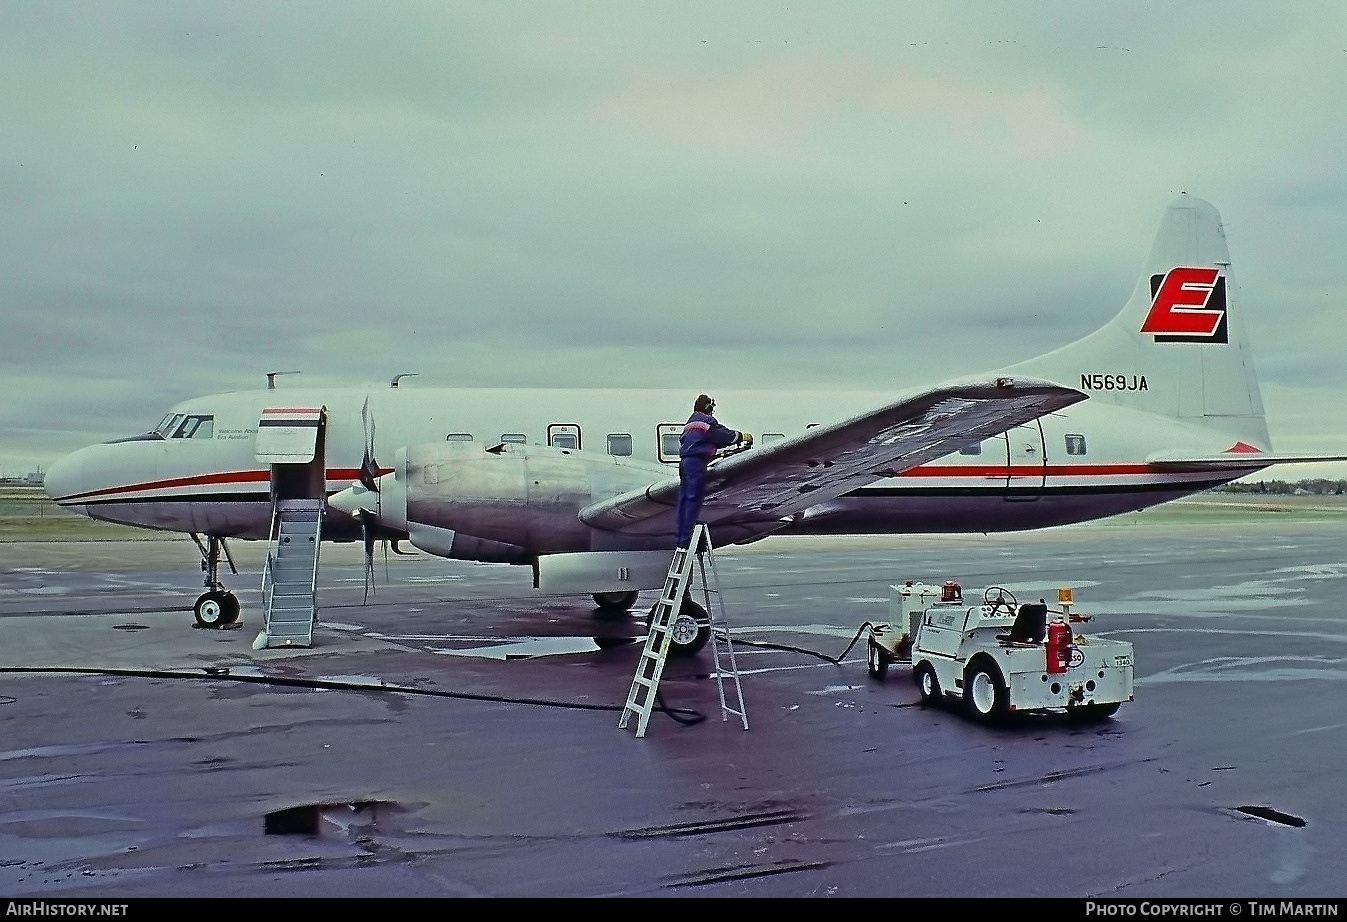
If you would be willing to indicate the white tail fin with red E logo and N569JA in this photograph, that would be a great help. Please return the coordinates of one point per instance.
(1178, 348)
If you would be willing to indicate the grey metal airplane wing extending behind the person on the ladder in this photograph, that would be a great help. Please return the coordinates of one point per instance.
(756, 493)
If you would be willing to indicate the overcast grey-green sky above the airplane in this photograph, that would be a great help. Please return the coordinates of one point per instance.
(686, 195)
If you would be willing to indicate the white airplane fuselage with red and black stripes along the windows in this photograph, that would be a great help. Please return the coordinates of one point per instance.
(199, 472)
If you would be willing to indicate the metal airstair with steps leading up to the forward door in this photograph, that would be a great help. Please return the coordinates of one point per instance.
(290, 578)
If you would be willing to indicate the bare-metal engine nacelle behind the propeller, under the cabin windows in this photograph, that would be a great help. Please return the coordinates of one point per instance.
(526, 497)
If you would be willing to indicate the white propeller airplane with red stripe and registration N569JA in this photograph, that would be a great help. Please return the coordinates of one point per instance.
(581, 486)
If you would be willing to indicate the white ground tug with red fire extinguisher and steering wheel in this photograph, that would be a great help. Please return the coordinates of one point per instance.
(1001, 658)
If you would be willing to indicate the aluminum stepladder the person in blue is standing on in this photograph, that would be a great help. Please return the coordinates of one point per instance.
(640, 700)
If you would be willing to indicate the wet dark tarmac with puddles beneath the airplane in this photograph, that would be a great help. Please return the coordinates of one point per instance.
(459, 735)
